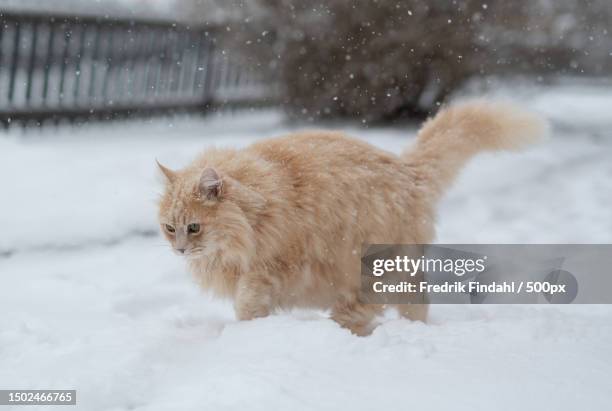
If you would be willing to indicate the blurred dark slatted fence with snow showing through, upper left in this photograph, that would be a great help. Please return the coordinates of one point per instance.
(61, 67)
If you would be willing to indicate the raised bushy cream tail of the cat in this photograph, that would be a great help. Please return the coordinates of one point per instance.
(447, 141)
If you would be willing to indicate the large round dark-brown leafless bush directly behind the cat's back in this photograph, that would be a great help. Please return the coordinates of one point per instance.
(367, 60)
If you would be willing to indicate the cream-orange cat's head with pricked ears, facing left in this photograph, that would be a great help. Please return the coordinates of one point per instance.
(209, 216)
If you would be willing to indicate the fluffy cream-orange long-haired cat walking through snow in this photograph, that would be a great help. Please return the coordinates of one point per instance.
(281, 223)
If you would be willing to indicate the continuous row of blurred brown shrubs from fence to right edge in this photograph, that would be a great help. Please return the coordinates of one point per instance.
(384, 59)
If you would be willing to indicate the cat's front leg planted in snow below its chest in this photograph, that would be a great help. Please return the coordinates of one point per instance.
(254, 297)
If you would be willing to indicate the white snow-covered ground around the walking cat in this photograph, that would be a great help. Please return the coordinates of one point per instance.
(92, 299)
